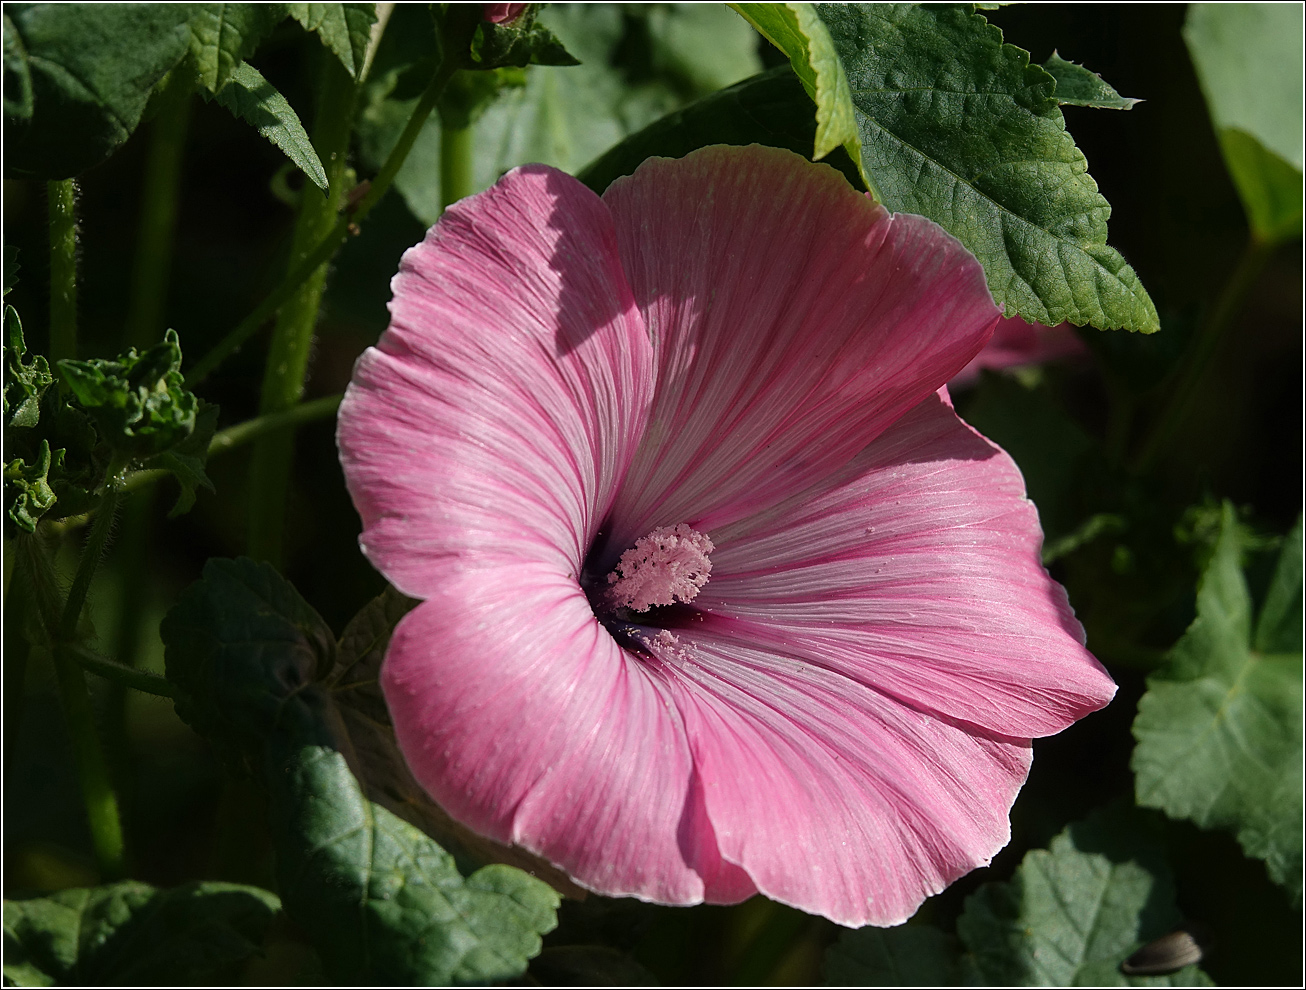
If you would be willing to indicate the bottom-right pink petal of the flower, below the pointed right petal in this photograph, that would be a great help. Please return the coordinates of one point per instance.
(830, 796)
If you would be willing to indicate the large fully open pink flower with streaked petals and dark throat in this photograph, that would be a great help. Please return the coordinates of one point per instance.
(719, 594)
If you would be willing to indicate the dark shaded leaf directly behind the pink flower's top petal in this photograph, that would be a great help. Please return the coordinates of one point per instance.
(769, 109)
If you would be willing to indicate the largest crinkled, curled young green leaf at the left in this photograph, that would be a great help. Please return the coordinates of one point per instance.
(139, 403)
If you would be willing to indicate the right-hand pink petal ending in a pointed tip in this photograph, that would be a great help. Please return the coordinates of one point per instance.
(916, 573)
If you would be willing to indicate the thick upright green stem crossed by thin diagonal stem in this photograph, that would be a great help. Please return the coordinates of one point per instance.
(292, 339)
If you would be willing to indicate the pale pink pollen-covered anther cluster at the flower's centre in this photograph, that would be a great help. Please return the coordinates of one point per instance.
(668, 566)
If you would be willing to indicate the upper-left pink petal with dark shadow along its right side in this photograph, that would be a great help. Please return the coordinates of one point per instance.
(502, 407)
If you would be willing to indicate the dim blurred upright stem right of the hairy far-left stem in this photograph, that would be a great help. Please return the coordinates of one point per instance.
(159, 215)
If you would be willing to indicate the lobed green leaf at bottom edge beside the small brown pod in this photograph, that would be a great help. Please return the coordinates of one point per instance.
(1075, 912)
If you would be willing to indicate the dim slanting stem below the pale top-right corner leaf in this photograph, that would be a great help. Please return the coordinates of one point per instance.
(1193, 369)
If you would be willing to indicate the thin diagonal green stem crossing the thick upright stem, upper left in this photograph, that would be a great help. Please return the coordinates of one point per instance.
(328, 246)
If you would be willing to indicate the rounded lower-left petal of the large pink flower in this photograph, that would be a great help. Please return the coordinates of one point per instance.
(523, 718)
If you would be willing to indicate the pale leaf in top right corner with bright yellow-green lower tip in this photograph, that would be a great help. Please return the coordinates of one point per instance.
(1249, 62)
